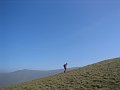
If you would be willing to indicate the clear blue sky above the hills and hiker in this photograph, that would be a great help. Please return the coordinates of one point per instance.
(45, 34)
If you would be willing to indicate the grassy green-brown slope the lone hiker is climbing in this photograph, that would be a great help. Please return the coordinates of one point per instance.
(104, 75)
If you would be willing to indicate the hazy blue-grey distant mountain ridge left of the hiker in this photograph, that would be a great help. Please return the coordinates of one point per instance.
(25, 75)
